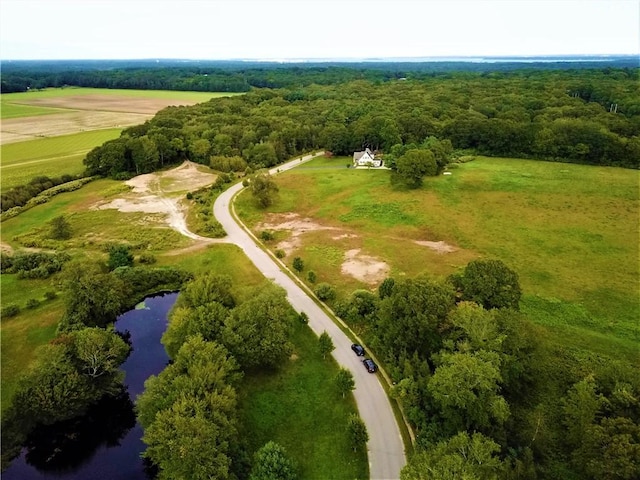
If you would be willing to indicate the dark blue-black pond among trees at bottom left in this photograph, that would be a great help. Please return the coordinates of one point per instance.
(106, 444)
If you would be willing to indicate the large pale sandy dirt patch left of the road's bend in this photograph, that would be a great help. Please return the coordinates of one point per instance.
(155, 193)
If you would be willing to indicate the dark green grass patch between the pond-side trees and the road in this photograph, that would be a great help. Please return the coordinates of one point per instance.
(299, 407)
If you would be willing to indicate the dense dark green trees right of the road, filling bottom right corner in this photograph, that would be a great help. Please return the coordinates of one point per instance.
(484, 393)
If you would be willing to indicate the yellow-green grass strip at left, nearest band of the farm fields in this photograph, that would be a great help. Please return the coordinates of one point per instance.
(52, 157)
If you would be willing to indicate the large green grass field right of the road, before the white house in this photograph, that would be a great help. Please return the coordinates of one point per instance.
(570, 231)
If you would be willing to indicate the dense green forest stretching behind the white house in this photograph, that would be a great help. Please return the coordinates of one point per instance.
(582, 116)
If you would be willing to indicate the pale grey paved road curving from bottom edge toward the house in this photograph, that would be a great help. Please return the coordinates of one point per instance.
(385, 447)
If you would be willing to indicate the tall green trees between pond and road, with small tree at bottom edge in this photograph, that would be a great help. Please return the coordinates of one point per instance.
(192, 404)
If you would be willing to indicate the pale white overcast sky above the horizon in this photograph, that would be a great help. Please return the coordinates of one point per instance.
(312, 29)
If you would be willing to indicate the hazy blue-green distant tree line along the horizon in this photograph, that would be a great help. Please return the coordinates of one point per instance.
(241, 76)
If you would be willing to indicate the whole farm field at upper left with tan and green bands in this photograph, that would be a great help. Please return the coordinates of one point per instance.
(49, 132)
